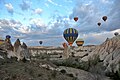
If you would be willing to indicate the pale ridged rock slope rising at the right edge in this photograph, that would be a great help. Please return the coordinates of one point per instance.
(109, 53)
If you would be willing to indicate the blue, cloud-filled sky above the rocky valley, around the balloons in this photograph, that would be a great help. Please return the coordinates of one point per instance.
(45, 20)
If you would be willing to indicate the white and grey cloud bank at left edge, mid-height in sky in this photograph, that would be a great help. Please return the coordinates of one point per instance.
(13, 27)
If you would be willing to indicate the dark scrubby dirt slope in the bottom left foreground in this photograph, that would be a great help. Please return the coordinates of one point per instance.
(10, 69)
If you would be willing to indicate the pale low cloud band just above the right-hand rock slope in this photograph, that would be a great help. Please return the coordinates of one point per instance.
(98, 38)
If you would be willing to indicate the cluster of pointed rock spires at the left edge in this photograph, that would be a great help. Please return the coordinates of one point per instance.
(18, 50)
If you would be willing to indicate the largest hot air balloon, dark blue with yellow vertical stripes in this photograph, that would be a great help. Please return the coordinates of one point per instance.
(70, 35)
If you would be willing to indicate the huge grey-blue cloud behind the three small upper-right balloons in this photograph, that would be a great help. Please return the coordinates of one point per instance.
(90, 14)
